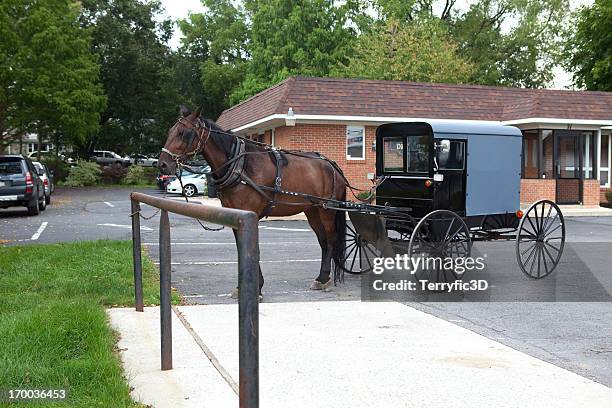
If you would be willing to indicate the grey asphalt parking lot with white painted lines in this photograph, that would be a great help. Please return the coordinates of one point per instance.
(573, 332)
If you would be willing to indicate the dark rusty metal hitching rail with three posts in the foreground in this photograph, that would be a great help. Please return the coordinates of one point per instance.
(245, 224)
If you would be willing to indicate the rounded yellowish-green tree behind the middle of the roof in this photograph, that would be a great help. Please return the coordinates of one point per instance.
(421, 51)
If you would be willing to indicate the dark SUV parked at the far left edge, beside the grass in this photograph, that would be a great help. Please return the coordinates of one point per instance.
(20, 184)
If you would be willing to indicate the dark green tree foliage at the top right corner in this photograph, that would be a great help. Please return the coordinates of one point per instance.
(588, 50)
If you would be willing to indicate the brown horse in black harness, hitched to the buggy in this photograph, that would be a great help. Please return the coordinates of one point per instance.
(255, 177)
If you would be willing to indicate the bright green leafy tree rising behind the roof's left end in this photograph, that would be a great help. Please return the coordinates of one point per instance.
(295, 37)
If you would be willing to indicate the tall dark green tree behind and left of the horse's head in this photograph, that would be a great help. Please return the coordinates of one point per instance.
(136, 72)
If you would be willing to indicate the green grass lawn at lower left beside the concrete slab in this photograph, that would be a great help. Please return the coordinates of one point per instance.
(53, 327)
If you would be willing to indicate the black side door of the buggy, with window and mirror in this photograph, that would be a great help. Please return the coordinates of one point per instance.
(449, 179)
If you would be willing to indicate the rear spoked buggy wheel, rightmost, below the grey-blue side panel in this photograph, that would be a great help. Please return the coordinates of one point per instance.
(540, 239)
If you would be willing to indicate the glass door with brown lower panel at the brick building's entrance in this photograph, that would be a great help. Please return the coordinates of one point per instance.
(568, 166)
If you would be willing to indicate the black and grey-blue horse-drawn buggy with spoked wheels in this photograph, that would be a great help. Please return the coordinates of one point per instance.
(443, 185)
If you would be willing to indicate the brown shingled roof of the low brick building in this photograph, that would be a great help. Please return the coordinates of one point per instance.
(368, 98)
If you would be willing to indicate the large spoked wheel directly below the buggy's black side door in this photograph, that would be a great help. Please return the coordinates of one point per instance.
(439, 236)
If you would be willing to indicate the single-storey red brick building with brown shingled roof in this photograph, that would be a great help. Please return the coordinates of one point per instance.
(567, 135)
